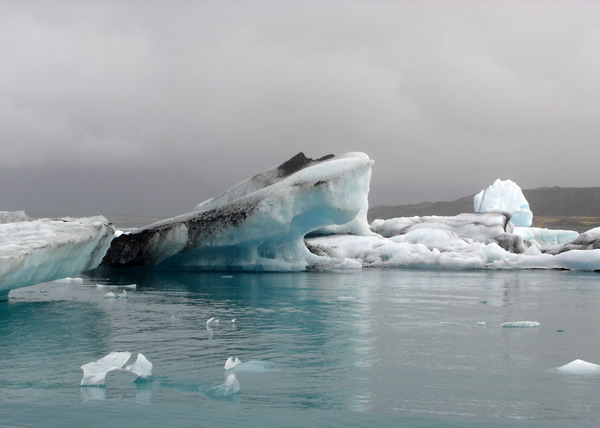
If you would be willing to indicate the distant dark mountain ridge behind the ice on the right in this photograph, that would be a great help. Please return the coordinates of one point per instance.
(544, 201)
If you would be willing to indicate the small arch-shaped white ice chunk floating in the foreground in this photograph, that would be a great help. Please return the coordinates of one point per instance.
(94, 373)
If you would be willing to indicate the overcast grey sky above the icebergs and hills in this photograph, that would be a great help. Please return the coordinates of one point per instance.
(149, 107)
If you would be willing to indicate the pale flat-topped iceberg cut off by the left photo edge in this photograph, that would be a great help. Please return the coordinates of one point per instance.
(48, 249)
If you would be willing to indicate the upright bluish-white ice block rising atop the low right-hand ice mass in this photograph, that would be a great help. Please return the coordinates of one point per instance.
(506, 197)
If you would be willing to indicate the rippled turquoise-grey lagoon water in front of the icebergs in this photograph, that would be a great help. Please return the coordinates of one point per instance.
(363, 348)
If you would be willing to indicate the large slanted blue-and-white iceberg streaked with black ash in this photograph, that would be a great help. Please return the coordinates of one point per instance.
(260, 224)
